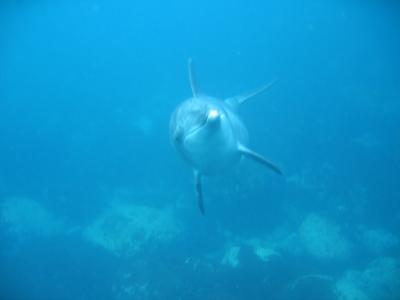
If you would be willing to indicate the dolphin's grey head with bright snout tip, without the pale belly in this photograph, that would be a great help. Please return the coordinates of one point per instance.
(194, 120)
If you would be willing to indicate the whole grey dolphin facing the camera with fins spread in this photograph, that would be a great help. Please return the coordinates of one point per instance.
(210, 136)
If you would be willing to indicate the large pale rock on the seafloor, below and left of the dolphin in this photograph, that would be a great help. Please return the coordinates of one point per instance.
(125, 229)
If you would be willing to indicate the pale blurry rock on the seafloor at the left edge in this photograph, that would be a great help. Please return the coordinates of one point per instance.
(26, 217)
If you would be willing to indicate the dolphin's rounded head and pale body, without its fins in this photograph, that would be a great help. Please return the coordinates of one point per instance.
(204, 131)
